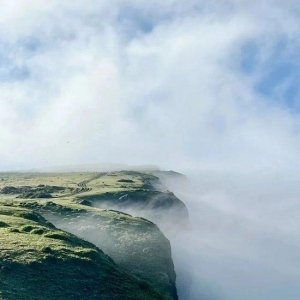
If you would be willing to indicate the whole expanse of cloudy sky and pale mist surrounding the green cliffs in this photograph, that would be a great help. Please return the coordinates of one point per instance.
(208, 88)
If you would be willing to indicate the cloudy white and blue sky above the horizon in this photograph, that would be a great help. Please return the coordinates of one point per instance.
(184, 86)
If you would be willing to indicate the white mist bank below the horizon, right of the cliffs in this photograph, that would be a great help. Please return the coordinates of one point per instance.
(245, 242)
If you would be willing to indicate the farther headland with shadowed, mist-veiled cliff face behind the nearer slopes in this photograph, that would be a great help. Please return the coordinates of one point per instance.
(139, 194)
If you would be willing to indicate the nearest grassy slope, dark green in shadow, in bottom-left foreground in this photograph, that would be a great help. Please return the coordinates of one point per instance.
(38, 261)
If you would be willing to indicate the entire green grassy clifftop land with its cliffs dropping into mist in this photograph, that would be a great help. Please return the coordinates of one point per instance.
(116, 212)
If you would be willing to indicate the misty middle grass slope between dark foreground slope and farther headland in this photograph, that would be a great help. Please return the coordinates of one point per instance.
(135, 244)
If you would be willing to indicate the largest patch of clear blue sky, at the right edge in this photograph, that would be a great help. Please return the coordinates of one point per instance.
(279, 80)
